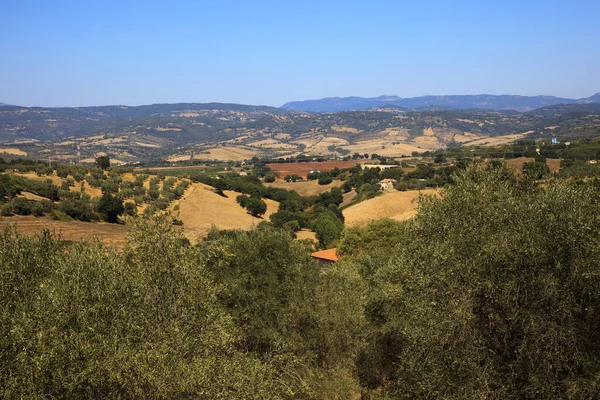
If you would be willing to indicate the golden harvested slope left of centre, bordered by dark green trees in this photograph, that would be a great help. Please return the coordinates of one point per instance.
(201, 208)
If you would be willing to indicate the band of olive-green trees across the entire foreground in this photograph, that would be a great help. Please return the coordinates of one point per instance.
(491, 291)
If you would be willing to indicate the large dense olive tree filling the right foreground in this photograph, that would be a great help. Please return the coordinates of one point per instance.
(491, 294)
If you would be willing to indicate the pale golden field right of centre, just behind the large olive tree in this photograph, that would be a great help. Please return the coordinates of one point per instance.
(395, 205)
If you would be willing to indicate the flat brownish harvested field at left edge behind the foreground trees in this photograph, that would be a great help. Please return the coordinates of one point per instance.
(112, 234)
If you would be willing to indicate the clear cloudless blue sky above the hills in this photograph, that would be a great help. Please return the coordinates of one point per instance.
(75, 53)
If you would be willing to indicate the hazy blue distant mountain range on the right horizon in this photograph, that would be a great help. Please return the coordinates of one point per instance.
(480, 101)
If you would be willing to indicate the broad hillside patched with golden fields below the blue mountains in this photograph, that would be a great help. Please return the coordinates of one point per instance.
(186, 132)
